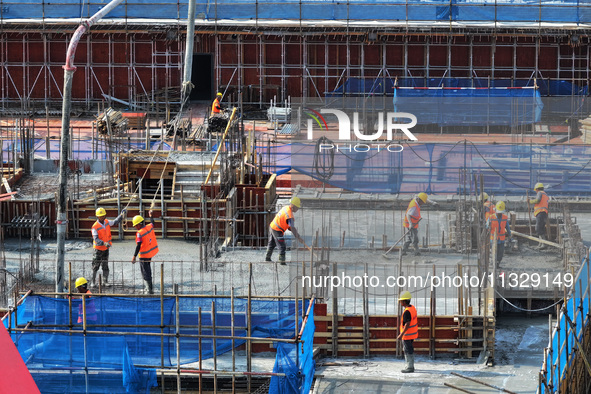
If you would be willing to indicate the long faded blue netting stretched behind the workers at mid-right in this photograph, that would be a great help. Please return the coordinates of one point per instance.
(507, 169)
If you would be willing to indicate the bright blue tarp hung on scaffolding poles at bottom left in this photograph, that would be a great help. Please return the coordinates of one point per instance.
(50, 353)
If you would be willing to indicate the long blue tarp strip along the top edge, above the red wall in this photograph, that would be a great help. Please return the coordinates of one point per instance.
(525, 12)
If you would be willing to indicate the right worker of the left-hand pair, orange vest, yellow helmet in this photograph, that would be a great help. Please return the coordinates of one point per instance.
(146, 247)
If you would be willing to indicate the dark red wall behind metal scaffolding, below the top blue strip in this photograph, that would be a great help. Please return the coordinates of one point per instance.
(138, 66)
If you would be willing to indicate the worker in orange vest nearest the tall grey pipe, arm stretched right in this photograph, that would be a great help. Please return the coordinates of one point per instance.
(101, 242)
